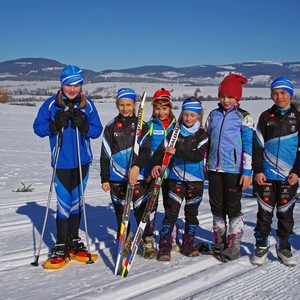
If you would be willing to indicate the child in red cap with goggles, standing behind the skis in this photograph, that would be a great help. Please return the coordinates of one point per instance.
(160, 124)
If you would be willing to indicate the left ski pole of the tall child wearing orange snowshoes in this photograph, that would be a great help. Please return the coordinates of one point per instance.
(58, 147)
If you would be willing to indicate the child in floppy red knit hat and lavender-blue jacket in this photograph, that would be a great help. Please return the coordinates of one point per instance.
(229, 164)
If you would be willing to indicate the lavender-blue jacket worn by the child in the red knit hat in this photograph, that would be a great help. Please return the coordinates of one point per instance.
(231, 139)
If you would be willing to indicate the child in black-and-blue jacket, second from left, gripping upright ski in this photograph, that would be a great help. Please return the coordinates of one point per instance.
(118, 139)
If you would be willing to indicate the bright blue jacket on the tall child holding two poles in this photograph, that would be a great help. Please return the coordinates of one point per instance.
(68, 156)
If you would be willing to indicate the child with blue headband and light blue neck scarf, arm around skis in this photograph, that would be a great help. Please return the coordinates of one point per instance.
(185, 179)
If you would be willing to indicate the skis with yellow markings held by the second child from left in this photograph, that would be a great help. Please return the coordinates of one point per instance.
(130, 189)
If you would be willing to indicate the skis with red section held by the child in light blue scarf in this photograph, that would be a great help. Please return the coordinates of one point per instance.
(151, 201)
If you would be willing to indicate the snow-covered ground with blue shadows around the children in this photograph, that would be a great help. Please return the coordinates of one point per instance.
(25, 158)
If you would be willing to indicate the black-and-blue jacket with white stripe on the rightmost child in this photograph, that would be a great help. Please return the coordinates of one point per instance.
(276, 144)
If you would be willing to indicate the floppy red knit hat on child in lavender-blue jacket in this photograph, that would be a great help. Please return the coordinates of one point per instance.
(232, 86)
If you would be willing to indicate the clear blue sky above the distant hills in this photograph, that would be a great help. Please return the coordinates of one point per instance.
(118, 34)
